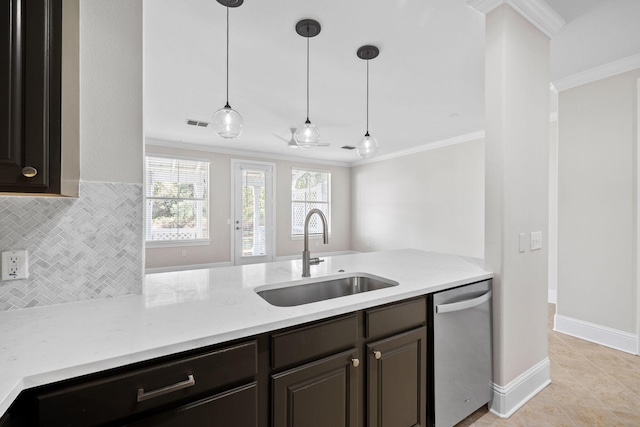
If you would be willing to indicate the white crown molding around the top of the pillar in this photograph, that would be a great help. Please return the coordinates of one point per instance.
(537, 12)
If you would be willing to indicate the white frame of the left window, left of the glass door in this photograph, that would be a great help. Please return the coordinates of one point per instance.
(207, 203)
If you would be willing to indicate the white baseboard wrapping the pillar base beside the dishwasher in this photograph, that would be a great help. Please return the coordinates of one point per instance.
(508, 399)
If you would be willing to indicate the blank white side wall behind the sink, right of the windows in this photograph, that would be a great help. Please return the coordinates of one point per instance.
(433, 200)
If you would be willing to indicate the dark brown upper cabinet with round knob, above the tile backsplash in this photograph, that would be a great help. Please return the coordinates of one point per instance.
(30, 95)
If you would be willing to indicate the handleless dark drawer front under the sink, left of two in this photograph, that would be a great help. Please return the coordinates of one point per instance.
(311, 342)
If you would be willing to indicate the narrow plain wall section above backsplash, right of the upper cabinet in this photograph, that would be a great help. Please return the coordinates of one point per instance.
(111, 128)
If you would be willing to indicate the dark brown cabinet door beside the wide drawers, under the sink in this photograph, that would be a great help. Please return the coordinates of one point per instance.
(318, 394)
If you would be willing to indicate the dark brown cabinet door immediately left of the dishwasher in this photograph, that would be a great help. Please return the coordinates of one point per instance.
(396, 380)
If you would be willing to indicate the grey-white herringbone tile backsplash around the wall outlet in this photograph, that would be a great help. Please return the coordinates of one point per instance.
(79, 249)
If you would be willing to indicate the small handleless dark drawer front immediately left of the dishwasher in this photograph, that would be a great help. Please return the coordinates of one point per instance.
(395, 318)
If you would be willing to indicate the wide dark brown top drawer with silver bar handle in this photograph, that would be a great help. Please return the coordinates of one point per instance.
(115, 397)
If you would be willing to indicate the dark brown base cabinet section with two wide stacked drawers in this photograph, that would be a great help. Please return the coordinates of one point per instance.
(166, 393)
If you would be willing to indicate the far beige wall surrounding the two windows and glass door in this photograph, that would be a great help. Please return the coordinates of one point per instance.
(219, 250)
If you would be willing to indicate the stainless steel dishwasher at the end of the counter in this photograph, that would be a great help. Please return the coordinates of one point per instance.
(461, 367)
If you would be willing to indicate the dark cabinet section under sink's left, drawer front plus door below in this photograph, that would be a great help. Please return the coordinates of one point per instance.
(315, 378)
